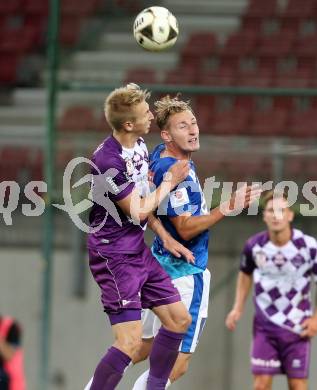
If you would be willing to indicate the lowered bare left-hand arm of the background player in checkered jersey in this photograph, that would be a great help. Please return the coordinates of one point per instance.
(244, 283)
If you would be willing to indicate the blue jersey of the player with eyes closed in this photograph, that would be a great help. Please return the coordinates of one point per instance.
(187, 197)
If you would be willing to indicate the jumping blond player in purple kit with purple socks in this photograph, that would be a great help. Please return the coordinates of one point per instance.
(129, 276)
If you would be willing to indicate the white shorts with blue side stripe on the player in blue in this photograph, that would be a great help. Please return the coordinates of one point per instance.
(194, 291)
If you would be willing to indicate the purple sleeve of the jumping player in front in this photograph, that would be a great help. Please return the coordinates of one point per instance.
(113, 178)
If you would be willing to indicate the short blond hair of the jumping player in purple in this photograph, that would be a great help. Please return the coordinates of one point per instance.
(119, 104)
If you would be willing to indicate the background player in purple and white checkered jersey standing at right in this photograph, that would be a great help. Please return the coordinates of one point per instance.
(280, 263)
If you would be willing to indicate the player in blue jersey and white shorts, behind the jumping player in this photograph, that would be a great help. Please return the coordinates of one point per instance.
(185, 215)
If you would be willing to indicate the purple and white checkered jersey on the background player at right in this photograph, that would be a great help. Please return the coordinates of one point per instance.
(282, 277)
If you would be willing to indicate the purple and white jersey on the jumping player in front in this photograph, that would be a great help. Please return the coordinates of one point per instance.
(120, 171)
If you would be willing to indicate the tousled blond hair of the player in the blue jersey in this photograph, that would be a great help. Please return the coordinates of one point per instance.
(167, 106)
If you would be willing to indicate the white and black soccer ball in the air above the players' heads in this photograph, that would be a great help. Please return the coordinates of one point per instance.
(155, 29)
